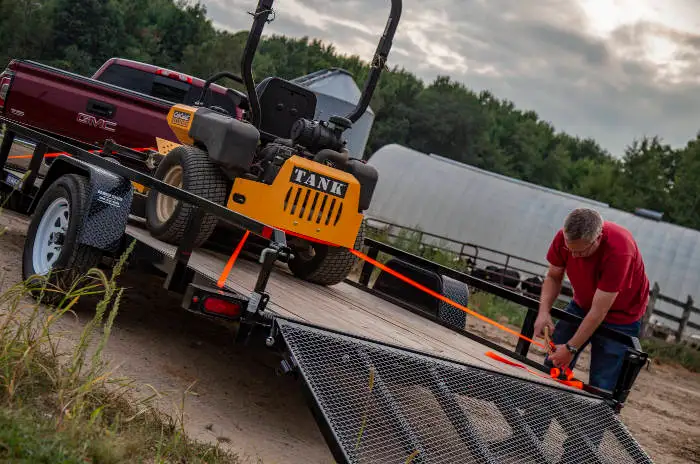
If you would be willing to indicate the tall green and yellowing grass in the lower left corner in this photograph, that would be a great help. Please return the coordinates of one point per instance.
(63, 405)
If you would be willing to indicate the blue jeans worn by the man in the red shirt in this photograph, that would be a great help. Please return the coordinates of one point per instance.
(606, 355)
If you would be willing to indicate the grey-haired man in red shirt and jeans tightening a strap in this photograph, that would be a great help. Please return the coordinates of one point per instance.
(610, 286)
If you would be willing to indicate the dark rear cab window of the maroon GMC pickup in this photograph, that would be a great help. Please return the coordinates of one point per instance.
(146, 83)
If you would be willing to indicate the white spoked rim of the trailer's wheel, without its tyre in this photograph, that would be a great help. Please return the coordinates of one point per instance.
(50, 236)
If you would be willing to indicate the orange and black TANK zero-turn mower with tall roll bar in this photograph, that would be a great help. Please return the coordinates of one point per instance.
(276, 165)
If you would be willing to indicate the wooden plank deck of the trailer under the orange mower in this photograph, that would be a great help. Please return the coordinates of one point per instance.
(342, 307)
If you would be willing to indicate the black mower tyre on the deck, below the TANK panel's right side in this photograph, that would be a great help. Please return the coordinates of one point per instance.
(324, 264)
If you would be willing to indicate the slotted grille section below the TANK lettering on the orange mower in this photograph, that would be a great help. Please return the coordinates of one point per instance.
(313, 206)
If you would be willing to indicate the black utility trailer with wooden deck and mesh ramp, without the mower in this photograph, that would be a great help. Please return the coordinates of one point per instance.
(390, 376)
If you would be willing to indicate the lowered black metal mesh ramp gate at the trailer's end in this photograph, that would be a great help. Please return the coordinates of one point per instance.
(377, 403)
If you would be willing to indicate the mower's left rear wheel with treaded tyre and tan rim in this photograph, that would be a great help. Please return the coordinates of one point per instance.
(191, 169)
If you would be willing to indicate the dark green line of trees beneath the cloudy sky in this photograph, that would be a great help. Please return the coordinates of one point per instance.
(442, 116)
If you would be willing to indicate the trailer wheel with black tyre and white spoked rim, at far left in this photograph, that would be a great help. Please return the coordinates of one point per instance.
(51, 249)
